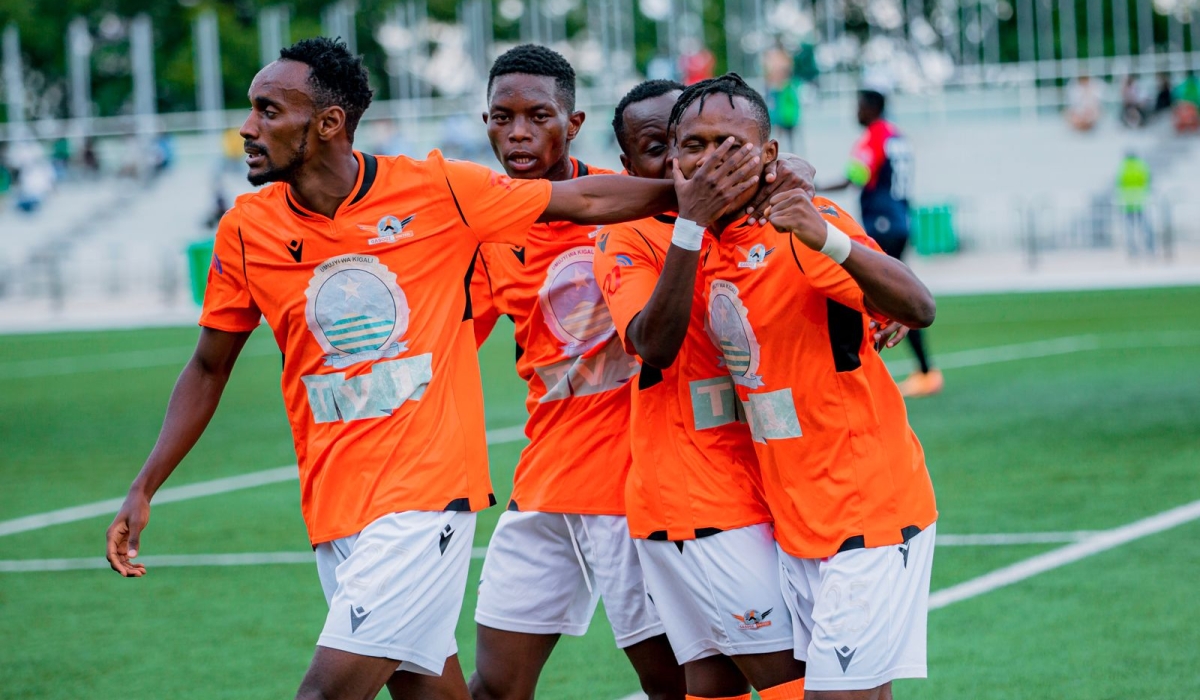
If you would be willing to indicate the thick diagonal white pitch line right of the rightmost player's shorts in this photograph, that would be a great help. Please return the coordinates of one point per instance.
(1065, 555)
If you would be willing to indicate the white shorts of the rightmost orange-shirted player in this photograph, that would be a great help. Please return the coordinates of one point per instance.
(860, 617)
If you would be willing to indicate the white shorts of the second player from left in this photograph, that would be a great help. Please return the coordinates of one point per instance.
(545, 573)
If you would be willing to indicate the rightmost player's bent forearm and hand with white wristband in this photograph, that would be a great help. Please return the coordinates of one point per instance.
(889, 286)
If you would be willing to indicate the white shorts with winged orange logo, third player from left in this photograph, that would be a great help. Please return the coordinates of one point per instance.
(719, 595)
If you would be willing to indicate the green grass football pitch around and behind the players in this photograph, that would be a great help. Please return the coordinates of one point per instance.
(1076, 440)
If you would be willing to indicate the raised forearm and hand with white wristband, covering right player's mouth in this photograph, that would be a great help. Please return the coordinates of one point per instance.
(658, 332)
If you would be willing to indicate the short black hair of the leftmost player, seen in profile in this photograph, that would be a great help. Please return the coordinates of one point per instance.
(337, 76)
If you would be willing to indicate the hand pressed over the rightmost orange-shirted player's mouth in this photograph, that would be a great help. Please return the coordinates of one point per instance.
(722, 178)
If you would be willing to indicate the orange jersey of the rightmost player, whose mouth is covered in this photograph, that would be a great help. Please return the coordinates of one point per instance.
(841, 465)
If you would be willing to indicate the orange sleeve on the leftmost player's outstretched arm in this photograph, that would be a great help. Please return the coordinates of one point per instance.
(496, 208)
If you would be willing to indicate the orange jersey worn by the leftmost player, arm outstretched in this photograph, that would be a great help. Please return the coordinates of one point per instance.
(381, 379)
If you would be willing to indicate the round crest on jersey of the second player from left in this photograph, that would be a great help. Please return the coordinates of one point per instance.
(572, 303)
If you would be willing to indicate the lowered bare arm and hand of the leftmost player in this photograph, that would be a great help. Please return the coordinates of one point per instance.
(193, 404)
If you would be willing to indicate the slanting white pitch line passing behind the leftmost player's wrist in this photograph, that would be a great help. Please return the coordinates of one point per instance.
(175, 494)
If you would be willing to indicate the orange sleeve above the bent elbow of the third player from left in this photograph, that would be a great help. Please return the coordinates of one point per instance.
(628, 268)
